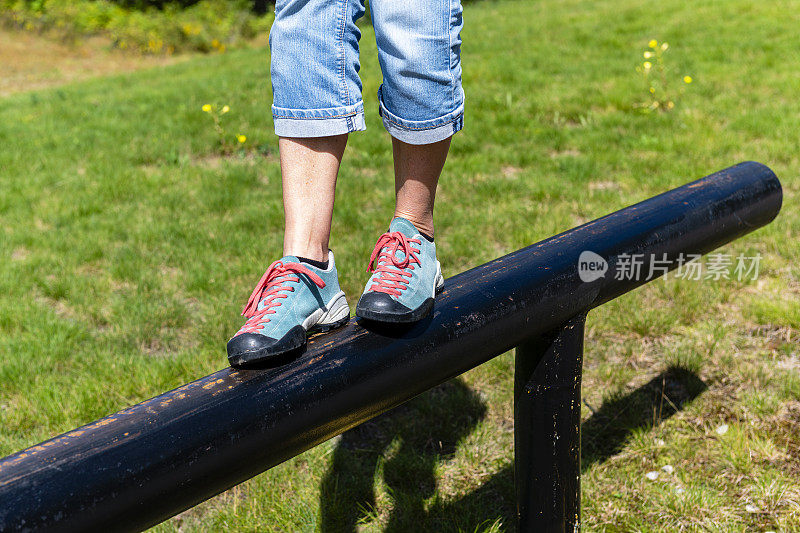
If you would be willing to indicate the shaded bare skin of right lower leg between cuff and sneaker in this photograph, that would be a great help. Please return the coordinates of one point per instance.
(416, 173)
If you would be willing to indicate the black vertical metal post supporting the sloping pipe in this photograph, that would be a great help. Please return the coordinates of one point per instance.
(547, 429)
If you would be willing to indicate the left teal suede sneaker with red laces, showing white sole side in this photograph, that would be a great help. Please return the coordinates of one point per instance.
(291, 300)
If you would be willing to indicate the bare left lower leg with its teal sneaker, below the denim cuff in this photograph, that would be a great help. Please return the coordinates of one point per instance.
(300, 292)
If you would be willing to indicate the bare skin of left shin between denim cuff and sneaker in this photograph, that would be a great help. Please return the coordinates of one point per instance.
(308, 168)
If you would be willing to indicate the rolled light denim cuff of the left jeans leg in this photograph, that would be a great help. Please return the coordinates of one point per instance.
(318, 122)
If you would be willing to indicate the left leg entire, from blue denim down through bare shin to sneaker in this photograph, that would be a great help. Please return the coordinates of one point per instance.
(316, 103)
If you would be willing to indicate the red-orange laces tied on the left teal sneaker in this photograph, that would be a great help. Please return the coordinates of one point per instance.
(270, 289)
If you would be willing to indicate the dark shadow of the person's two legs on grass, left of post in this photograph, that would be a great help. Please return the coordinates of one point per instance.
(405, 444)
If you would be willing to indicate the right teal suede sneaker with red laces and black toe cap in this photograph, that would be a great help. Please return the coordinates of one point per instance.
(405, 276)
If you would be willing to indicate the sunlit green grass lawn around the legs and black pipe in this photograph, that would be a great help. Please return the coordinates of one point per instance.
(128, 247)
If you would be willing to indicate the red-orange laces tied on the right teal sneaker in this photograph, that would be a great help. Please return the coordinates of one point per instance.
(391, 271)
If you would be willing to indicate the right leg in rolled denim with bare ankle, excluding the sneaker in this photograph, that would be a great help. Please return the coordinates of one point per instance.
(421, 98)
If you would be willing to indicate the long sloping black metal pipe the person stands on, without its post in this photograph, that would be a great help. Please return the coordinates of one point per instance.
(139, 466)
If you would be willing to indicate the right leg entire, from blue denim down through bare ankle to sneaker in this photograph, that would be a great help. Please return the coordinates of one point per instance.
(422, 105)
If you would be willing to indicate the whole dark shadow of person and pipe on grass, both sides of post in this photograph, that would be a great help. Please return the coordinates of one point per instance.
(429, 428)
